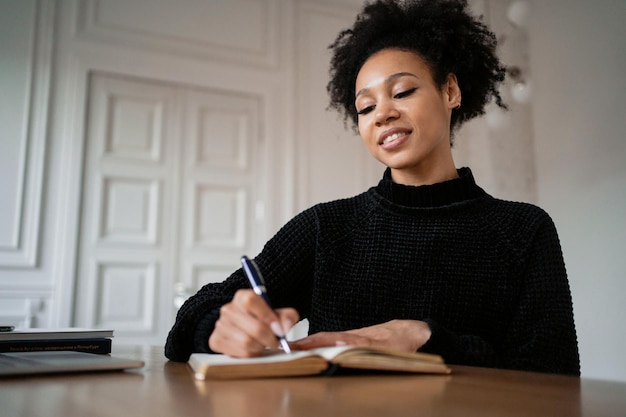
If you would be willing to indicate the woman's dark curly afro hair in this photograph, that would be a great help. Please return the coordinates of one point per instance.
(442, 32)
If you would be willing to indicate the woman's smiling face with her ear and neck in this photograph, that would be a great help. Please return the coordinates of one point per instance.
(404, 117)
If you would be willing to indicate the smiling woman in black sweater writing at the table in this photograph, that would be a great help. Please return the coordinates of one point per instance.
(426, 260)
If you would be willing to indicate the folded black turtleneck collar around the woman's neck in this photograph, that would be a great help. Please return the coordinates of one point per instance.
(441, 194)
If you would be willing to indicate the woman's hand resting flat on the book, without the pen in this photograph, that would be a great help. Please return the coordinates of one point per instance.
(404, 335)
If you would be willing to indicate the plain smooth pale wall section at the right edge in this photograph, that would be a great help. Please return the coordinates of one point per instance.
(578, 64)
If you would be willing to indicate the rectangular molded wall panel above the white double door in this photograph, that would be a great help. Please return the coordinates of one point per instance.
(196, 36)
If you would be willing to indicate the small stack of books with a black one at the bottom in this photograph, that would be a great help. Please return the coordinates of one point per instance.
(75, 339)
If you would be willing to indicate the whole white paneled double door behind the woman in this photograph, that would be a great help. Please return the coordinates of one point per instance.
(170, 199)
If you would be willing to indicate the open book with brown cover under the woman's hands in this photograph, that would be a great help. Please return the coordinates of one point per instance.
(314, 362)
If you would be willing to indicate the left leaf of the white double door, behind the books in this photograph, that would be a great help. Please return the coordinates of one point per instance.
(129, 184)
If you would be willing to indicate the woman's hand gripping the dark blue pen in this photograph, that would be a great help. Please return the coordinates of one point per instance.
(247, 326)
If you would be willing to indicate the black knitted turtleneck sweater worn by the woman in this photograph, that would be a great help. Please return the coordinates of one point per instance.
(487, 275)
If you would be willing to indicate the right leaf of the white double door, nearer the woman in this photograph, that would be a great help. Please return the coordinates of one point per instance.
(223, 173)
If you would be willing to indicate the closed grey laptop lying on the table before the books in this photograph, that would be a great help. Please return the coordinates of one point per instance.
(30, 363)
